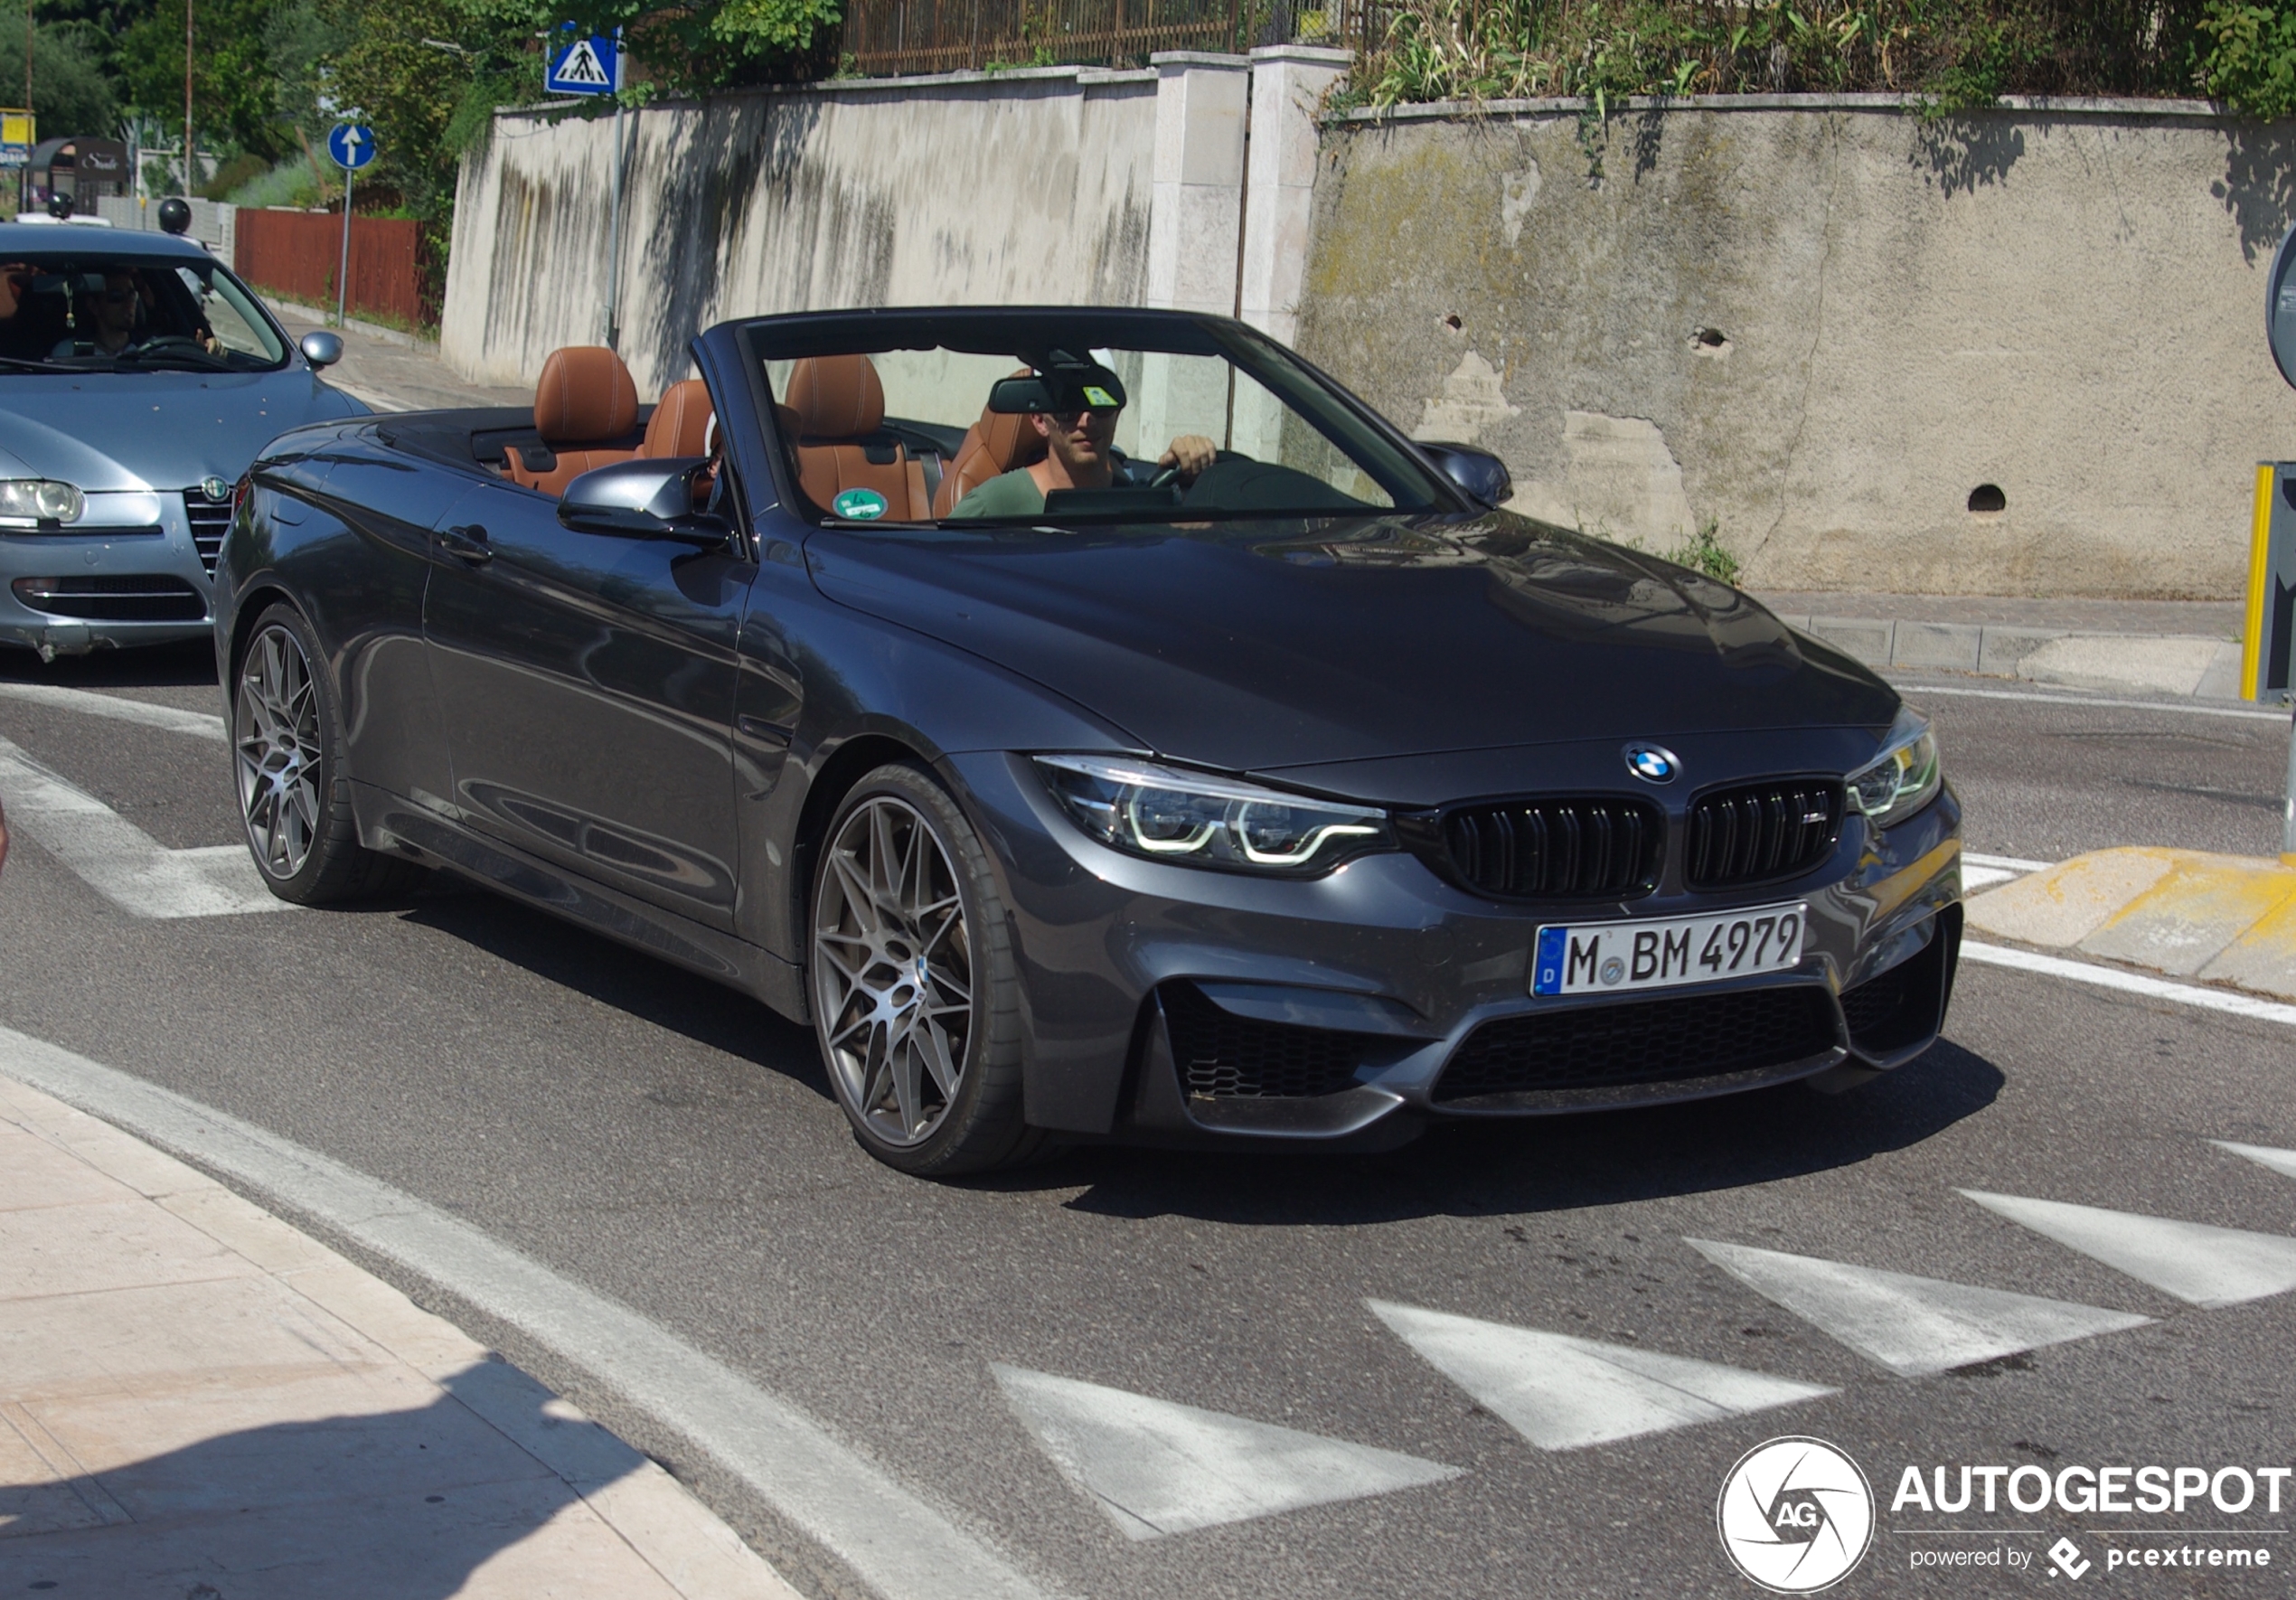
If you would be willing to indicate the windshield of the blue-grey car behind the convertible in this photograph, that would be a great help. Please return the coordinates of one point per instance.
(123, 313)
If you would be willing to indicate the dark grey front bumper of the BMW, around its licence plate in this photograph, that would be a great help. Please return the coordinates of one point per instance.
(1188, 1007)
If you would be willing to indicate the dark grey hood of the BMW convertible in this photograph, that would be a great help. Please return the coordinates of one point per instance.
(1269, 646)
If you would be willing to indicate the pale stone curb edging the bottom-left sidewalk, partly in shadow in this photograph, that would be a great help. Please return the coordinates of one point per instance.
(662, 1523)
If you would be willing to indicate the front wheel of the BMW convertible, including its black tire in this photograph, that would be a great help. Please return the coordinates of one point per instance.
(915, 986)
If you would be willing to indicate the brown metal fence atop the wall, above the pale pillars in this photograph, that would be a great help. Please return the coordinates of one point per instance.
(890, 38)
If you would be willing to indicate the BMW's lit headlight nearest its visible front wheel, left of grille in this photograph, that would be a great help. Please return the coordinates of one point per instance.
(1204, 821)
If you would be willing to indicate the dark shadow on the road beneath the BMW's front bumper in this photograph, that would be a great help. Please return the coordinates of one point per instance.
(1542, 1165)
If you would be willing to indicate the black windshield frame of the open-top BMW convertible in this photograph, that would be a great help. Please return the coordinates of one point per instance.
(1009, 329)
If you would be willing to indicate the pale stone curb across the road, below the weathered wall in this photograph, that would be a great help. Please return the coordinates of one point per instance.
(2164, 665)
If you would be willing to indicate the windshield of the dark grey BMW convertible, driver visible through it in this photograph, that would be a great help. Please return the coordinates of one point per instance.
(1073, 419)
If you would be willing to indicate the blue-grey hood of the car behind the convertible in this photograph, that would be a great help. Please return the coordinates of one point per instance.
(153, 430)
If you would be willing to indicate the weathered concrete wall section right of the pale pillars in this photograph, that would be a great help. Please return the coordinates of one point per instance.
(2063, 304)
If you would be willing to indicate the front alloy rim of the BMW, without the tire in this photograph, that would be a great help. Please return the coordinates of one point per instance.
(894, 972)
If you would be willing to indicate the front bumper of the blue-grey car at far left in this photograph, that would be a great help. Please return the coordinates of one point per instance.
(107, 587)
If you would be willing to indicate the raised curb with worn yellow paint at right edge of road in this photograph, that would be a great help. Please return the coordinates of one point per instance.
(2180, 912)
